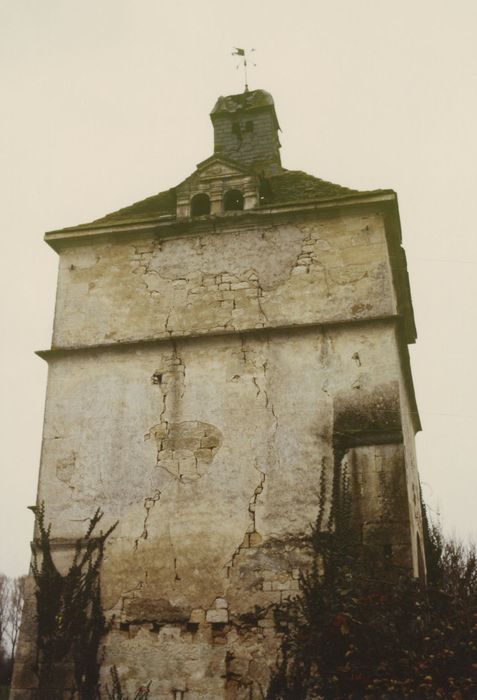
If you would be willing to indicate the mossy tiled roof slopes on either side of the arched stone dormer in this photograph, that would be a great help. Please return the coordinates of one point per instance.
(287, 187)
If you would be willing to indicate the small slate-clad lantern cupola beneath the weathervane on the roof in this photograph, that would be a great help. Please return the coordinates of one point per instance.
(246, 131)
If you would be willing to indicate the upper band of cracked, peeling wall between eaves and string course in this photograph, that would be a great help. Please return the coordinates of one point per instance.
(239, 277)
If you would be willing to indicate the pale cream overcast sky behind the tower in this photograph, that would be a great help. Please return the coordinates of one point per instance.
(105, 102)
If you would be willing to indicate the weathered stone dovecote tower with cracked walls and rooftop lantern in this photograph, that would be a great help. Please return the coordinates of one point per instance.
(215, 348)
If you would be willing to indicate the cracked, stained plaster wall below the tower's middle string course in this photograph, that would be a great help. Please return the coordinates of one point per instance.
(209, 452)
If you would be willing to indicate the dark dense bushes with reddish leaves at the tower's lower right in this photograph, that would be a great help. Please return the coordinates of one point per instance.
(360, 629)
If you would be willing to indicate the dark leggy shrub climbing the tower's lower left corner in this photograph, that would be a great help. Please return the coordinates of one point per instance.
(70, 619)
